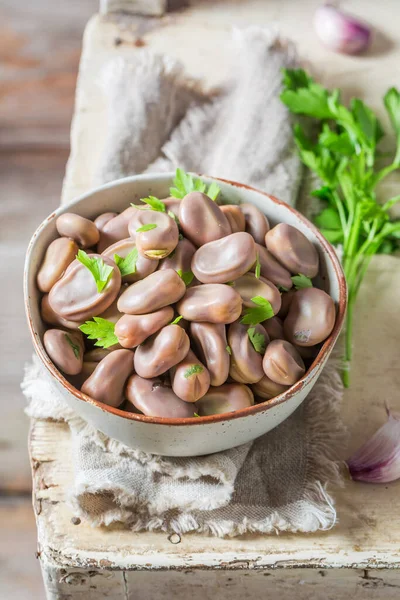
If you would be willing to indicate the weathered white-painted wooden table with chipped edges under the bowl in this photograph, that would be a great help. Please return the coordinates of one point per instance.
(359, 558)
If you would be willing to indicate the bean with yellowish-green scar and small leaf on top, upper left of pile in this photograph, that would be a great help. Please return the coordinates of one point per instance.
(158, 242)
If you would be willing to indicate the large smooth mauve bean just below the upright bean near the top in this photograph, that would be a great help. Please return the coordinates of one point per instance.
(225, 259)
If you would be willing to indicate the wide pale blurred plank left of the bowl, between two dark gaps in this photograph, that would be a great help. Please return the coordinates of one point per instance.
(30, 185)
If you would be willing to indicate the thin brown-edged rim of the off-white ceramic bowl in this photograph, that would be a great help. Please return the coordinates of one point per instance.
(251, 410)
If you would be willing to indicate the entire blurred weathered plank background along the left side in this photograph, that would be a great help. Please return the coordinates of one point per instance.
(40, 44)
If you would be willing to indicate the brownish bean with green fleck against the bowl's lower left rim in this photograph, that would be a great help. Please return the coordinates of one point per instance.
(59, 346)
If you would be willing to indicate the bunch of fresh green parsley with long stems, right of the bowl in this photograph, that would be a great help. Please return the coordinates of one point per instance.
(343, 153)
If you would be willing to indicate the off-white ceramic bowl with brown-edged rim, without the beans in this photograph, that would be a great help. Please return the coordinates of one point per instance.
(195, 436)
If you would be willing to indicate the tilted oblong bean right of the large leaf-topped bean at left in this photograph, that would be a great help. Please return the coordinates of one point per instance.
(159, 289)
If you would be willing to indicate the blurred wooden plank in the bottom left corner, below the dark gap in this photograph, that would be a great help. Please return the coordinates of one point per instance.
(20, 576)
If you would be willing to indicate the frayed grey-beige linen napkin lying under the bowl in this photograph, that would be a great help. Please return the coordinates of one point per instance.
(160, 119)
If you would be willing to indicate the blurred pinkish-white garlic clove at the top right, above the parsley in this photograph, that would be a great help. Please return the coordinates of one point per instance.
(340, 31)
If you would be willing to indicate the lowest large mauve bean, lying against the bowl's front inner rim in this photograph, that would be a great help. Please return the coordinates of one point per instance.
(154, 398)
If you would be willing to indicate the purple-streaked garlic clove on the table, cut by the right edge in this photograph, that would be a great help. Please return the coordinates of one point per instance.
(378, 460)
